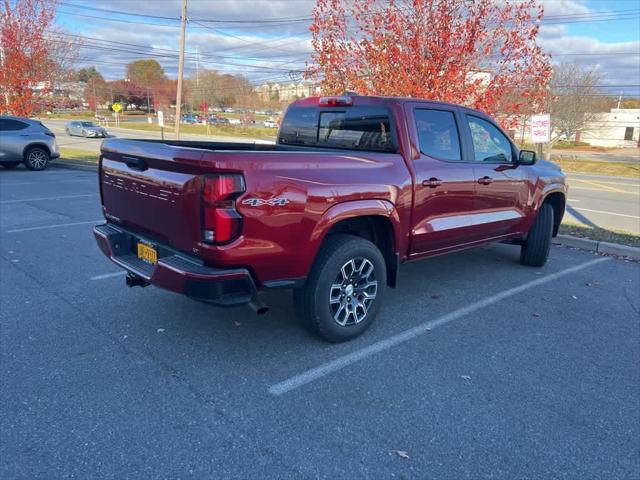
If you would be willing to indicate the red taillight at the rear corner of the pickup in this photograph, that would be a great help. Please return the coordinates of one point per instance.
(221, 222)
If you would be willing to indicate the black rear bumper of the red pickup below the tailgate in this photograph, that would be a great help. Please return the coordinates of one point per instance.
(176, 271)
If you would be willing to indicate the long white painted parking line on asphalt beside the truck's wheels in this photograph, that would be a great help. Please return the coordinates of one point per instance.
(344, 361)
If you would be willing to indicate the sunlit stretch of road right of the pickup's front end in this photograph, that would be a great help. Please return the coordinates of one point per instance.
(606, 202)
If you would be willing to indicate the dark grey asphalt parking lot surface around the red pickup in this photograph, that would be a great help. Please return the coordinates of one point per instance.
(477, 367)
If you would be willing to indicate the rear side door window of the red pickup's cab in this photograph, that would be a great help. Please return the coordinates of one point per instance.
(438, 134)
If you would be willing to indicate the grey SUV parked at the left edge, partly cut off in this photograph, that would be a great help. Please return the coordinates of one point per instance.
(26, 141)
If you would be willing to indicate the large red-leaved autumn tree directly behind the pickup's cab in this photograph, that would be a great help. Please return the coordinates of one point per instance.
(479, 53)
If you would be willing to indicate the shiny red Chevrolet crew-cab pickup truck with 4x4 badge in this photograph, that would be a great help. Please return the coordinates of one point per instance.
(353, 187)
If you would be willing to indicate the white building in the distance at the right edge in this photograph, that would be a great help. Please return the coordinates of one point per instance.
(618, 128)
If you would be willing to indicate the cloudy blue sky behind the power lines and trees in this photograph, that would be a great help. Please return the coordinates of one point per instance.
(600, 33)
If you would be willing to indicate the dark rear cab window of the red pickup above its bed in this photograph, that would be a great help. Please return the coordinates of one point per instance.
(352, 127)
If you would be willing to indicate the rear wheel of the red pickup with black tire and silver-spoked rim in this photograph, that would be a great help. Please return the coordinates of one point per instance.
(335, 311)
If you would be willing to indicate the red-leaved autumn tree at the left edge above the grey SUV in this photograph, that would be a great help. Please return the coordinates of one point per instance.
(26, 60)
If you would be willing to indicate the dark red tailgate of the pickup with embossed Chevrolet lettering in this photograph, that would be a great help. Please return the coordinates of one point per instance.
(153, 189)
